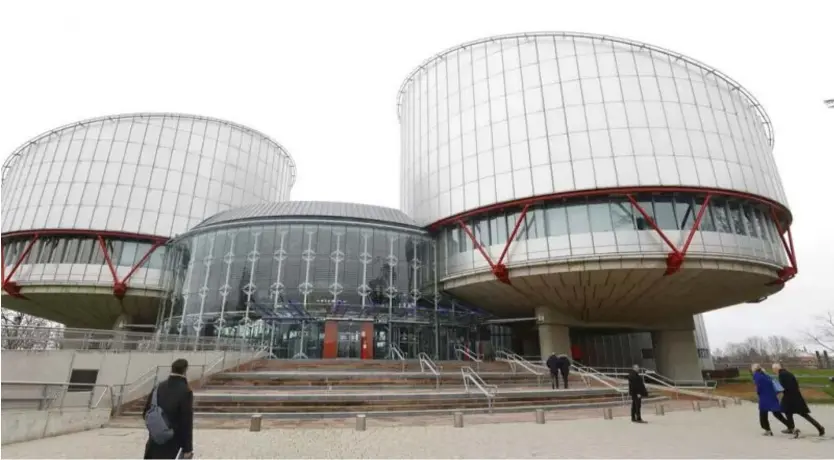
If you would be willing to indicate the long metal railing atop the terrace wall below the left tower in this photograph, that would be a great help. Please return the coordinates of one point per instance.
(28, 338)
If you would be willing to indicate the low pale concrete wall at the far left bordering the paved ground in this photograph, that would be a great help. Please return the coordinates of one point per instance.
(27, 425)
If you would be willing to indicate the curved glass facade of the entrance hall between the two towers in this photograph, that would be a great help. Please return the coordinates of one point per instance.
(281, 282)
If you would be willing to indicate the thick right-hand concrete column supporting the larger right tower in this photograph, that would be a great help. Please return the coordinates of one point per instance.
(676, 354)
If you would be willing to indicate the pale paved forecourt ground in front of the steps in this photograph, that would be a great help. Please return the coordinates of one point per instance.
(713, 433)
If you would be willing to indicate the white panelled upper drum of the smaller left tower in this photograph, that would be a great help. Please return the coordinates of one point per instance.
(154, 174)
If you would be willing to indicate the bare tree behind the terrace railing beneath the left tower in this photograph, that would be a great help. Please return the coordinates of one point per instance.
(26, 332)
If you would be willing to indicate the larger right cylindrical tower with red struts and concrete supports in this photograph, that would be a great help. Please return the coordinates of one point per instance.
(575, 175)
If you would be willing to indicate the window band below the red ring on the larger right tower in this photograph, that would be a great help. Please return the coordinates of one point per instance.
(609, 225)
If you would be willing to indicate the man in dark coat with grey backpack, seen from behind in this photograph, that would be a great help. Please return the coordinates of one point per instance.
(169, 416)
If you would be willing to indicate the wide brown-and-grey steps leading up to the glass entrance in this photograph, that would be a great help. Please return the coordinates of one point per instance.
(340, 388)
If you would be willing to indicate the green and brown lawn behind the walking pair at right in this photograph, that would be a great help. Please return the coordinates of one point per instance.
(814, 383)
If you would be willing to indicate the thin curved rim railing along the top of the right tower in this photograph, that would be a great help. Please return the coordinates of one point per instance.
(757, 106)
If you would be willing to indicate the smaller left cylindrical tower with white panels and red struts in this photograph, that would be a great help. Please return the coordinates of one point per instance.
(87, 208)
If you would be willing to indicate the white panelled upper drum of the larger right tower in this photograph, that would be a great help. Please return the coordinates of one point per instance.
(517, 117)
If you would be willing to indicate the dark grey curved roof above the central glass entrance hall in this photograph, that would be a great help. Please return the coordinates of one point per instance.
(307, 210)
